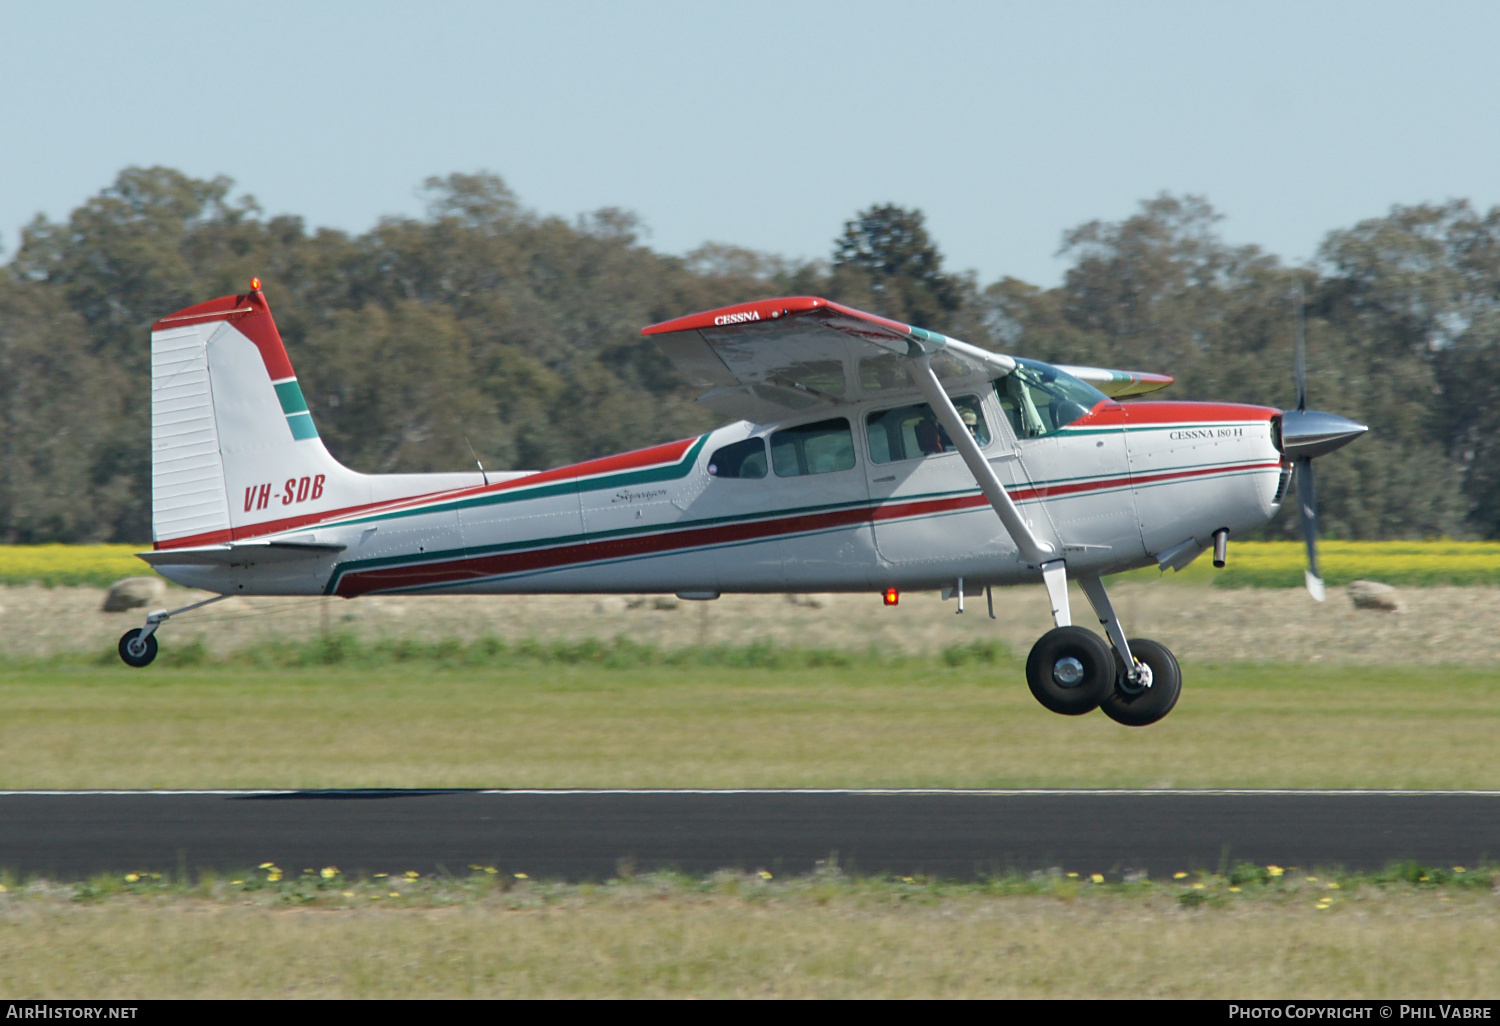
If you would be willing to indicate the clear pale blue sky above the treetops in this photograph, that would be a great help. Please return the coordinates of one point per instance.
(769, 125)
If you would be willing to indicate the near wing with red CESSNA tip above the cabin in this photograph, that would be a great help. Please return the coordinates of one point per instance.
(779, 358)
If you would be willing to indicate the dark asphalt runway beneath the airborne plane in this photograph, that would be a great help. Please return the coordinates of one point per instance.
(598, 835)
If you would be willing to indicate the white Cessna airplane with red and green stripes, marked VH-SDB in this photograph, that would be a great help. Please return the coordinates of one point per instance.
(865, 455)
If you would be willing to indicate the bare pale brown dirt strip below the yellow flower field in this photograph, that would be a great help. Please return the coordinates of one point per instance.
(1199, 623)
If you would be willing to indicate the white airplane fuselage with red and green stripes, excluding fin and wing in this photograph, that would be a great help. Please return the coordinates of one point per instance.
(1111, 491)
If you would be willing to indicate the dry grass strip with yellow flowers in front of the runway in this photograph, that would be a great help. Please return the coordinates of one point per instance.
(1247, 934)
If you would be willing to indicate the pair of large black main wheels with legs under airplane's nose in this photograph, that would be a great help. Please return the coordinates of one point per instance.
(1073, 671)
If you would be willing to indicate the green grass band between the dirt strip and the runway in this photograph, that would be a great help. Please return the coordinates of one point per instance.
(622, 716)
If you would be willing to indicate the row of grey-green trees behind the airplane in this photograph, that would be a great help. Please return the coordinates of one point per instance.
(488, 328)
